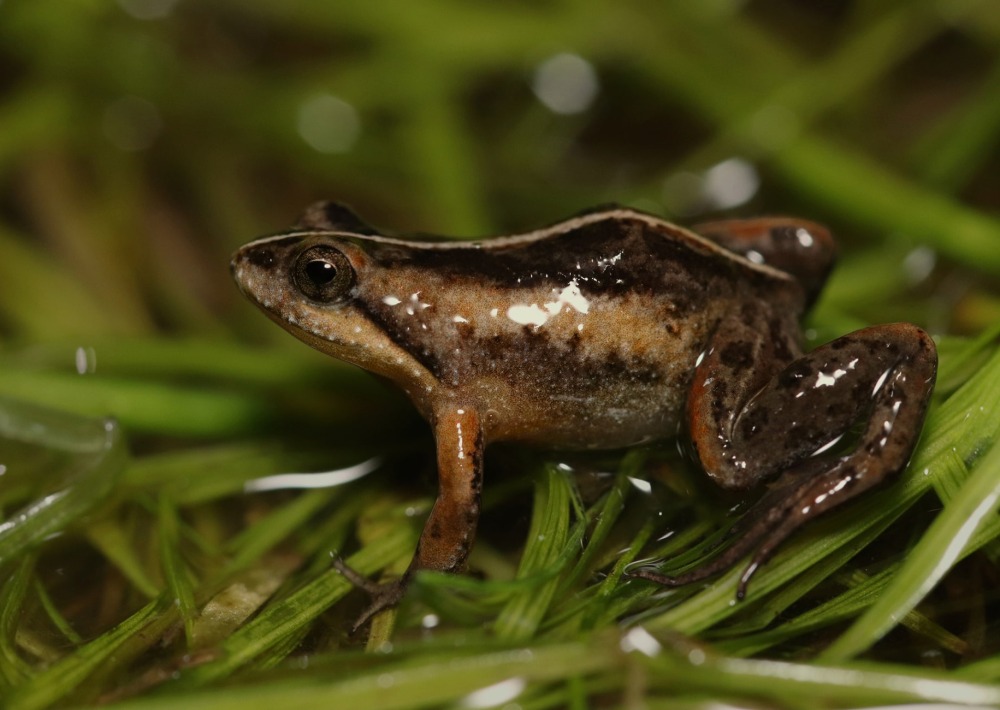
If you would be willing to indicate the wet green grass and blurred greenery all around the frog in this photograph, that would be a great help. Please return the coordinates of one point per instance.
(150, 558)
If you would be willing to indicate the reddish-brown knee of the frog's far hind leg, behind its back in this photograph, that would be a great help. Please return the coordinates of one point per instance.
(798, 247)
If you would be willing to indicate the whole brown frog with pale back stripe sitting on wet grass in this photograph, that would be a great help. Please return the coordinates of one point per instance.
(610, 329)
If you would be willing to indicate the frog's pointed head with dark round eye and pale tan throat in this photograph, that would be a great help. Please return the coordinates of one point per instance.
(310, 284)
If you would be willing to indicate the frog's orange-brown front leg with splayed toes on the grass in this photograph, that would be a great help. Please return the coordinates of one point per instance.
(450, 529)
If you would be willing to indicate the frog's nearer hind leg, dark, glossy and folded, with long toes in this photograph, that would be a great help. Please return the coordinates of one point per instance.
(746, 431)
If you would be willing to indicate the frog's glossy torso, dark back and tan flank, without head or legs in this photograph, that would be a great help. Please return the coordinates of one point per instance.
(584, 333)
